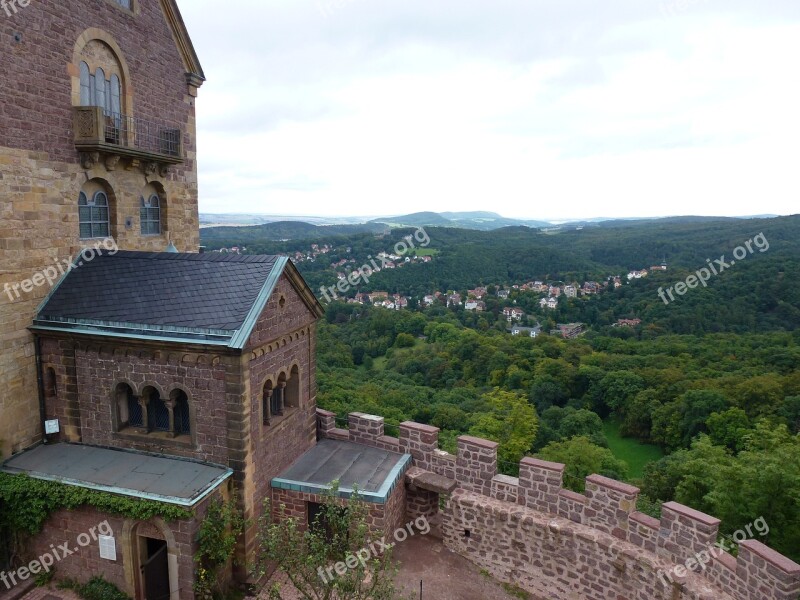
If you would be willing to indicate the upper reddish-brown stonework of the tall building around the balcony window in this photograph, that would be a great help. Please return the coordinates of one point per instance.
(36, 95)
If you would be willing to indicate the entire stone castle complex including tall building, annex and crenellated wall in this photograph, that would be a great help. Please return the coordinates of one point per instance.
(178, 378)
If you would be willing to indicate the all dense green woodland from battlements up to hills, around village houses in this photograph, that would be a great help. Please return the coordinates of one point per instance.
(712, 378)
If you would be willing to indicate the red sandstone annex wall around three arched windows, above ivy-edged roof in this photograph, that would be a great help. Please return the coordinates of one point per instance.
(87, 376)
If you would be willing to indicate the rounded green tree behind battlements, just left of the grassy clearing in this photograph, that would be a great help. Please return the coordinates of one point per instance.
(581, 459)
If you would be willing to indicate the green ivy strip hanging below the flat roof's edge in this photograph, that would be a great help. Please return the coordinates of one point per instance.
(26, 503)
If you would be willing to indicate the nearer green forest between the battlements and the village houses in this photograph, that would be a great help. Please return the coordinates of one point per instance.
(724, 407)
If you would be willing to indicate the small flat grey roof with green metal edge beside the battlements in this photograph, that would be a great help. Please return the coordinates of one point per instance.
(374, 471)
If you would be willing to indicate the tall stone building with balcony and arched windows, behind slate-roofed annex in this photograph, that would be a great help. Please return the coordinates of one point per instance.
(97, 141)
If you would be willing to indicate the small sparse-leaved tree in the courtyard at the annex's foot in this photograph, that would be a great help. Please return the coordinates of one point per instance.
(308, 556)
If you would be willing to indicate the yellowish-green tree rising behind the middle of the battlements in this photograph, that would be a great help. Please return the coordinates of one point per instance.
(512, 422)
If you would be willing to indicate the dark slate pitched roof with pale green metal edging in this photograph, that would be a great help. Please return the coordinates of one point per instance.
(205, 297)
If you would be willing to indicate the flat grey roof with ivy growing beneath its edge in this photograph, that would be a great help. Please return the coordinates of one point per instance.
(129, 473)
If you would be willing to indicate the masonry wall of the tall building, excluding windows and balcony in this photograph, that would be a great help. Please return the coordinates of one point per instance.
(40, 171)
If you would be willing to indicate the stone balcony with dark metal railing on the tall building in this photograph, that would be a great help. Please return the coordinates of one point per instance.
(112, 138)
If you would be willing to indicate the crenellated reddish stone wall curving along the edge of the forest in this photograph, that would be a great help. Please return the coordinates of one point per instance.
(558, 544)
